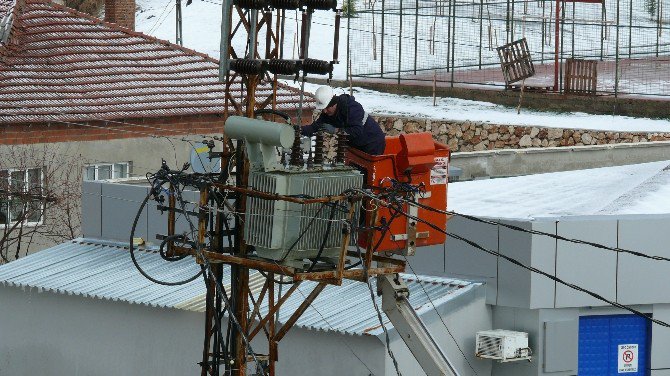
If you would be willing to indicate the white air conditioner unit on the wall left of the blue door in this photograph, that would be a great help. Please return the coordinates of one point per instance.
(503, 345)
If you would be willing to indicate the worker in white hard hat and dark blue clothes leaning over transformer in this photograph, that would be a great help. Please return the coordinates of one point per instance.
(342, 111)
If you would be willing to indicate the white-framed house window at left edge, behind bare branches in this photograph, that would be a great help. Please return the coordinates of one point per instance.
(21, 196)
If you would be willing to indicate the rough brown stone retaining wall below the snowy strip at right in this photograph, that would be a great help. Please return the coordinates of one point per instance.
(463, 136)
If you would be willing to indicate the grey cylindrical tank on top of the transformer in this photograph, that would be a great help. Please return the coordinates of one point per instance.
(259, 131)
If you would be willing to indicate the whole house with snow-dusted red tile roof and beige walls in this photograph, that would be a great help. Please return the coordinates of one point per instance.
(81, 98)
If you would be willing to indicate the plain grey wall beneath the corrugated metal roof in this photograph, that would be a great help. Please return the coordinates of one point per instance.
(43, 333)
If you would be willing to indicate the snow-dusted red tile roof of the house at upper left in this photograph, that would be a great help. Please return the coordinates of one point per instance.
(60, 64)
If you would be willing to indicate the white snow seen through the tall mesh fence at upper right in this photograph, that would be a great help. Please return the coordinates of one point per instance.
(584, 36)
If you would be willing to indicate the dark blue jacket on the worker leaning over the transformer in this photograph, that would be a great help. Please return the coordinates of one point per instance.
(367, 137)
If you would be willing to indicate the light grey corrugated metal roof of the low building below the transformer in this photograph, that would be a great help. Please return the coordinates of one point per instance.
(104, 270)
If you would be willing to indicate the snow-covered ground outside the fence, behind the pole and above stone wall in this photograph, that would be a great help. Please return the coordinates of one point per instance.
(201, 32)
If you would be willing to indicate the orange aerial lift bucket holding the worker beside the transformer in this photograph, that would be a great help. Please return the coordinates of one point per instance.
(414, 160)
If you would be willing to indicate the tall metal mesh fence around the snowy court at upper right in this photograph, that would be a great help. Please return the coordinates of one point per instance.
(453, 42)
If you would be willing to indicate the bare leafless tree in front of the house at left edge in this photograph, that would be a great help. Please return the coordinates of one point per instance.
(40, 193)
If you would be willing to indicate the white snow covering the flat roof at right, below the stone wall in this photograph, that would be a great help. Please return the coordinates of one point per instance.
(631, 189)
